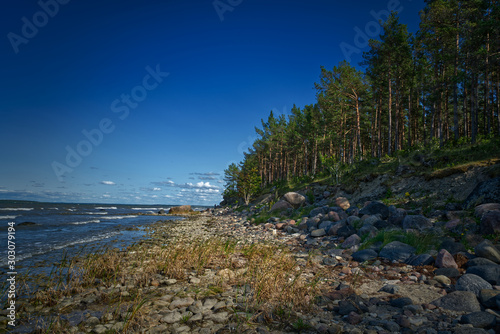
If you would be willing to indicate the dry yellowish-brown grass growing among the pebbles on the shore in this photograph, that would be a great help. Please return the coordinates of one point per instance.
(276, 281)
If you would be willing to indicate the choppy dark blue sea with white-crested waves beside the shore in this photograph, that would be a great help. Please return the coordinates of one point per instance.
(46, 233)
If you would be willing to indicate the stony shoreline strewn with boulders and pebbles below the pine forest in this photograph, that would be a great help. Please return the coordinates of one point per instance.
(383, 288)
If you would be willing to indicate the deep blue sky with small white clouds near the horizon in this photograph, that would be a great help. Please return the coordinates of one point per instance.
(148, 101)
